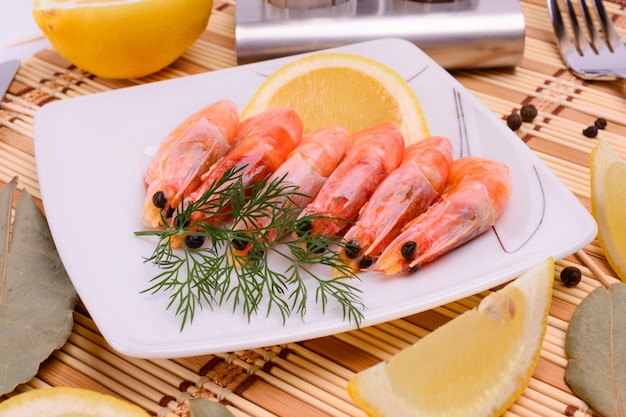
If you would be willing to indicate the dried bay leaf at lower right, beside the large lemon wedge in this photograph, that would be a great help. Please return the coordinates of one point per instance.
(596, 347)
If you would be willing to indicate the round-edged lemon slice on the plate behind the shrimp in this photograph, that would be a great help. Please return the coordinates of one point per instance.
(349, 90)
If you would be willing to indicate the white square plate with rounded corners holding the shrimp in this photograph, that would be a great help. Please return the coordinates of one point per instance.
(92, 152)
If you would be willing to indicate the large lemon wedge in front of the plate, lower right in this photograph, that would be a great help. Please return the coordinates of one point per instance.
(477, 364)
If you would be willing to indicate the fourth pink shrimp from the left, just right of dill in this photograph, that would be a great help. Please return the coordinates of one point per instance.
(374, 152)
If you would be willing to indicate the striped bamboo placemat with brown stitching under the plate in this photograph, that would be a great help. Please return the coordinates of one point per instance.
(309, 378)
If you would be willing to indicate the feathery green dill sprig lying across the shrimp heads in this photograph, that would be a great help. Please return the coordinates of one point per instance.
(215, 272)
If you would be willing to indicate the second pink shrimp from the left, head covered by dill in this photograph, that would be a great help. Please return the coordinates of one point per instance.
(265, 141)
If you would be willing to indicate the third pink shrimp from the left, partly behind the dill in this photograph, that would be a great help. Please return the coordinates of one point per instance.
(306, 168)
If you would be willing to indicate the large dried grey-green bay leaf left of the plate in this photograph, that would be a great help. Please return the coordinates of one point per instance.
(36, 296)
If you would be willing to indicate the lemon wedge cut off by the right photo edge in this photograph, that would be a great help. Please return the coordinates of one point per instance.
(608, 194)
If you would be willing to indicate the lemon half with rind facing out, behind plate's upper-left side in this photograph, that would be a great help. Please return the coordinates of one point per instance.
(122, 38)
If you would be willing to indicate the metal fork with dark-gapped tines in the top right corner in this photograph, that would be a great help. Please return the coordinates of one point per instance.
(601, 55)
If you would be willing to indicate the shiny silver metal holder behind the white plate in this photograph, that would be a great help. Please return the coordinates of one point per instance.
(454, 33)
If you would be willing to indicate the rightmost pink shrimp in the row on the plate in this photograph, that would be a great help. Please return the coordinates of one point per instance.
(474, 197)
